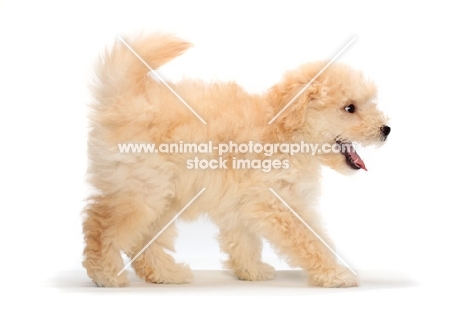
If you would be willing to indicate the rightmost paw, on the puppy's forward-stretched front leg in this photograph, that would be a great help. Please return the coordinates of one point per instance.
(334, 278)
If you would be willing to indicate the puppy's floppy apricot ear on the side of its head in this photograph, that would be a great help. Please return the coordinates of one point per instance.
(294, 116)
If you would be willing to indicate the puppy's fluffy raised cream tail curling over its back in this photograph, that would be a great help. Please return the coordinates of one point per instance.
(121, 71)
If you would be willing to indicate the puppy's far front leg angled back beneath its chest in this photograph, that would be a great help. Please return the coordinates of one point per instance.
(245, 250)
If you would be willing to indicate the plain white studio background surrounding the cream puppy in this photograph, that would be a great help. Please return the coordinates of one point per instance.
(405, 216)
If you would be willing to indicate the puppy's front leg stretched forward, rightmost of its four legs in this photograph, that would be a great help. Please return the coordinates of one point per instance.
(297, 243)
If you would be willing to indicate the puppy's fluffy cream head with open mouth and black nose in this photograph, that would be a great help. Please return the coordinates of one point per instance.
(338, 109)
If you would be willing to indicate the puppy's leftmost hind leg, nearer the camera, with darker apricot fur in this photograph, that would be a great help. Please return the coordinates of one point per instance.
(114, 223)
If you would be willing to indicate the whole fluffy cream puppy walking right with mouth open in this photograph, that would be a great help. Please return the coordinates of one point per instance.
(138, 193)
